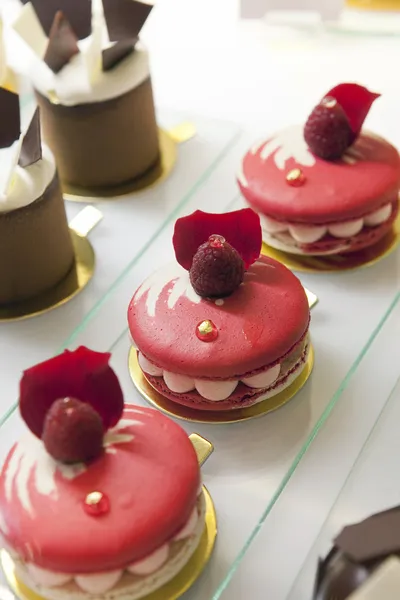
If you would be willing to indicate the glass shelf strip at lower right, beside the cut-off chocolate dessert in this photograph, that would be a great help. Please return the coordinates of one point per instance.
(276, 550)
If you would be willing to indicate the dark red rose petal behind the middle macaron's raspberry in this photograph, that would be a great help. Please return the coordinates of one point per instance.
(240, 228)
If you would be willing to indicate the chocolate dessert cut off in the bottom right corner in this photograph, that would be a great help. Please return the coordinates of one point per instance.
(364, 561)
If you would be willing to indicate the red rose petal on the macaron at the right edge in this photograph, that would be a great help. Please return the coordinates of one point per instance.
(356, 102)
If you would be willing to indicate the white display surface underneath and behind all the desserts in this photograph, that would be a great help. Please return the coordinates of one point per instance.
(205, 62)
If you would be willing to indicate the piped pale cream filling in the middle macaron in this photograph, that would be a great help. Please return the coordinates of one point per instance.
(213, 390)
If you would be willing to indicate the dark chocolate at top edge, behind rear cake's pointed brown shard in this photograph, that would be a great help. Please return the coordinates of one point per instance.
(78, 13)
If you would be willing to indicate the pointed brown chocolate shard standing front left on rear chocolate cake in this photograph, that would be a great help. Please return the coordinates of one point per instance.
(62, 44)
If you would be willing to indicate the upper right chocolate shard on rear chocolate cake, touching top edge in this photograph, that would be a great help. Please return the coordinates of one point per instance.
(125, 18)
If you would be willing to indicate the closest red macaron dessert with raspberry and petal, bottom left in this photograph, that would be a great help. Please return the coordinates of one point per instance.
(99, 500)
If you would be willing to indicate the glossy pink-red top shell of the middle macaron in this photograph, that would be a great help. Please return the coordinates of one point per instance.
(257, 324)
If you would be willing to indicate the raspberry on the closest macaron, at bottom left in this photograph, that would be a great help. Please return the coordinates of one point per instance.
(73, 431)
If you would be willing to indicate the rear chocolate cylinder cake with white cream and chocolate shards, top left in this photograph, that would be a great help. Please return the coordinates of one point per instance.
(92, 80)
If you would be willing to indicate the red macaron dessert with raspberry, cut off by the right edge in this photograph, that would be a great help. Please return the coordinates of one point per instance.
(327, 187)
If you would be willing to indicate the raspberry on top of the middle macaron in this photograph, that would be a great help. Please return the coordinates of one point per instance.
(217, 269)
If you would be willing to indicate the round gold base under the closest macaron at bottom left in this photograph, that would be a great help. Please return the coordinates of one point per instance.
(171, 591)
